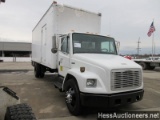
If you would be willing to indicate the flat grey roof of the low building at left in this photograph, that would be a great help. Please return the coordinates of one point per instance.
(15, 46)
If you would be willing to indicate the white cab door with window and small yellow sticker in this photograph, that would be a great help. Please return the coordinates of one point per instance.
(64, 56)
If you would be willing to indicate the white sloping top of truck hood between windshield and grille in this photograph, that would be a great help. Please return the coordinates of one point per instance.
(107, 61)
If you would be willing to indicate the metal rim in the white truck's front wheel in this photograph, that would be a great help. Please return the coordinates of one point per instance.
(71, 97)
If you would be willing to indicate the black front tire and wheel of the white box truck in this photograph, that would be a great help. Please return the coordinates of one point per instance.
(72, 97)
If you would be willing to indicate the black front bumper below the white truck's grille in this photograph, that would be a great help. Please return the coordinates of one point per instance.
(111, 100)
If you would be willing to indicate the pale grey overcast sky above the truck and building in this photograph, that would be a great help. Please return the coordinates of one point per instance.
(125, 20)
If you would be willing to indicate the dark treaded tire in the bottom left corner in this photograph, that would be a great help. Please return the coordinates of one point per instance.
(19, 112)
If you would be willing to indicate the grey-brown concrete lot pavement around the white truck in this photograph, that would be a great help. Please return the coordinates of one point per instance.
(49, 104)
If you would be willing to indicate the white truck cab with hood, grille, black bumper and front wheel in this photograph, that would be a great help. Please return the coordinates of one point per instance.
(91, 73)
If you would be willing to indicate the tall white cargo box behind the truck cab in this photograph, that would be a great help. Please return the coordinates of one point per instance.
(60, 20)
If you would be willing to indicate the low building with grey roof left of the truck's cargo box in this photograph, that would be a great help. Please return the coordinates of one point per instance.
(15, 51)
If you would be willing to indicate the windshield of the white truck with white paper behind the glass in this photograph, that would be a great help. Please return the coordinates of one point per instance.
(87, 43)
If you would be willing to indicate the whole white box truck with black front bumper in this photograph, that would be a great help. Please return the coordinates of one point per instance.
(66, 40)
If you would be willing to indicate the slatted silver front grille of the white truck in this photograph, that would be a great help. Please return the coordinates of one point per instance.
(124, 79)
